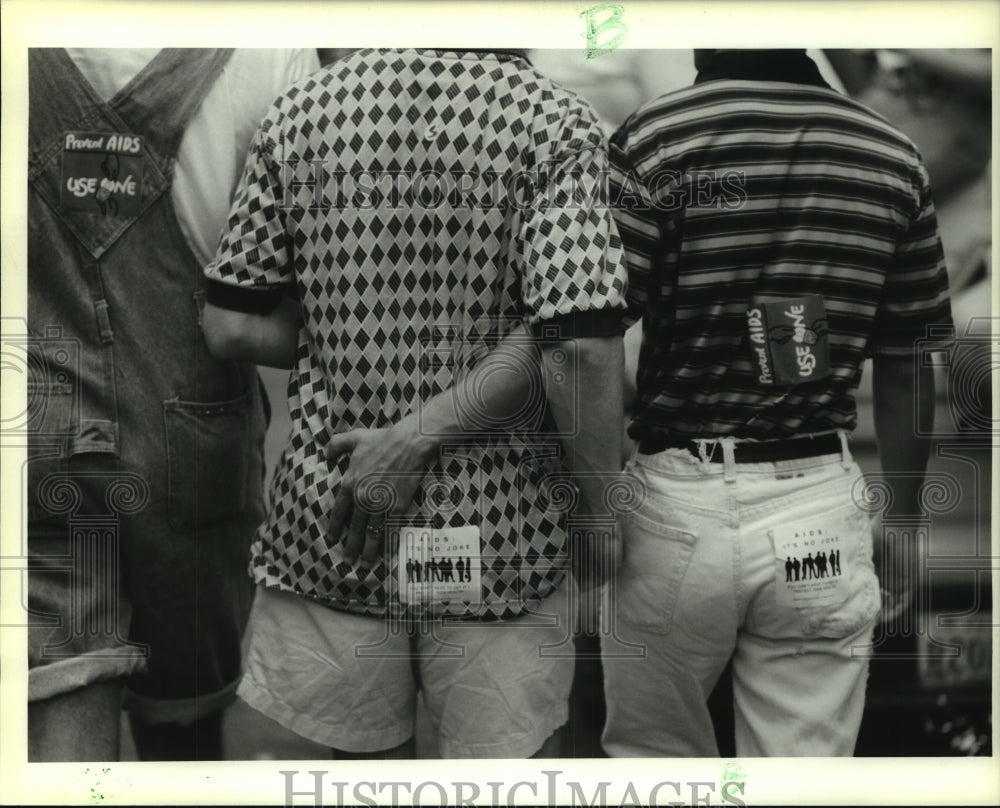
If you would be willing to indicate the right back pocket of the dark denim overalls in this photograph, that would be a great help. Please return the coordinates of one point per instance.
(208, 460)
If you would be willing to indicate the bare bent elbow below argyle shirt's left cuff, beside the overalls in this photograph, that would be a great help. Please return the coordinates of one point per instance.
(265, 339)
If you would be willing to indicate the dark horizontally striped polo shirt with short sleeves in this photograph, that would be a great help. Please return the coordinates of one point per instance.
(760, 184)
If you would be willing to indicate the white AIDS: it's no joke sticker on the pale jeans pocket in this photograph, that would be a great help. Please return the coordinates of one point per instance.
(809, 563)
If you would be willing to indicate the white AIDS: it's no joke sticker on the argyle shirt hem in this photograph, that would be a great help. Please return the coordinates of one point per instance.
(439, 564)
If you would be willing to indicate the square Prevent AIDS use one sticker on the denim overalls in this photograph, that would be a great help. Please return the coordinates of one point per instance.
(101, 173)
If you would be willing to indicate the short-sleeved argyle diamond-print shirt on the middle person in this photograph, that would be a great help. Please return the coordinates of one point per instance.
(420, 204)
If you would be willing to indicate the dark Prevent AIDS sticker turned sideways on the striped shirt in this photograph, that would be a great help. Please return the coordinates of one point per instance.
(789, 341)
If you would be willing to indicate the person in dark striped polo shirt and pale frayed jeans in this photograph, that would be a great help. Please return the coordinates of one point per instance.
(776, 234)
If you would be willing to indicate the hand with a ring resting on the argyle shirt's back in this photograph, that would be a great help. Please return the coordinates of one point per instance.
(395, 457)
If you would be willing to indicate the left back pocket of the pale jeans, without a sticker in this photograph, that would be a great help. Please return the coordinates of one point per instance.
(649, 581)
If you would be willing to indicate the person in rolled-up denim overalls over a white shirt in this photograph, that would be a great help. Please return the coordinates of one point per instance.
(134, 154)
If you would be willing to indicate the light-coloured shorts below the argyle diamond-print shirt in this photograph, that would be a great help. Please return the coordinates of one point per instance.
(492, 690)
